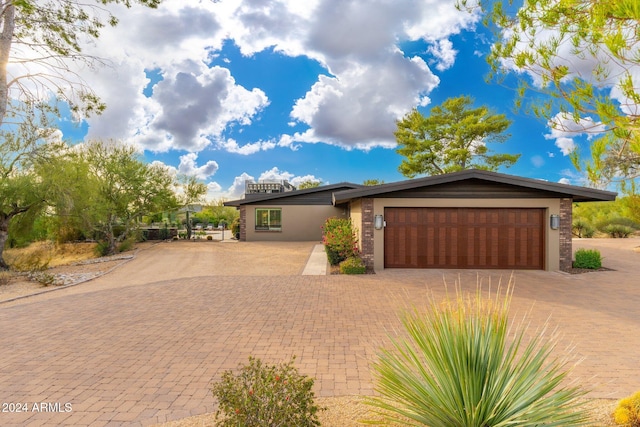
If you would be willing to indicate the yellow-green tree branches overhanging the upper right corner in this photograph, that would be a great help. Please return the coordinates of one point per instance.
(584, 56)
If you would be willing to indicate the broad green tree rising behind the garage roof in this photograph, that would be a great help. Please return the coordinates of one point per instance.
(453, 137)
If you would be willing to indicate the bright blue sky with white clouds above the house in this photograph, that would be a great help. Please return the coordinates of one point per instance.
(295, 90)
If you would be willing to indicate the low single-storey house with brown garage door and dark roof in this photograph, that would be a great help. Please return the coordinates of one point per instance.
(470, 219)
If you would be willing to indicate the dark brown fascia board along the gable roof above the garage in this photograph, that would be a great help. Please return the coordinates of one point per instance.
(577, 193)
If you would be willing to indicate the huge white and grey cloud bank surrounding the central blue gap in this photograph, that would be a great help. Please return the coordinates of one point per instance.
(371, 83)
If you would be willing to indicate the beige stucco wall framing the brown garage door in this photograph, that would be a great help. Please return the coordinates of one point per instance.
(552, 206)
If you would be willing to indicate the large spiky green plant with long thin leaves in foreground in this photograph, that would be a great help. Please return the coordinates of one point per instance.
(461, 364)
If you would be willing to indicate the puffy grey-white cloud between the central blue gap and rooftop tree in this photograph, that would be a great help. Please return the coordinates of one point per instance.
(359, 109)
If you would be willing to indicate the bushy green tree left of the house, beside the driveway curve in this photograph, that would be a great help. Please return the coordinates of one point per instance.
(124, 188)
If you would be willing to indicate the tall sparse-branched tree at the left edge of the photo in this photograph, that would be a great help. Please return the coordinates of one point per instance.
(39, 40)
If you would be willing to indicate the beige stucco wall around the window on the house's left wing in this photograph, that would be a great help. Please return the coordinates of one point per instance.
(299, 223)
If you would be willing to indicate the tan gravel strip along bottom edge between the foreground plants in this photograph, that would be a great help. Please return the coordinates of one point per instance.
(349, 411)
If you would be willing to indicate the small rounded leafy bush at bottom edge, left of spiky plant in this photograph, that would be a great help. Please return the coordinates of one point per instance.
(265, 395)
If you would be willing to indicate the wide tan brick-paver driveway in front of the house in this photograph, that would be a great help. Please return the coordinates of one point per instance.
(132, 348)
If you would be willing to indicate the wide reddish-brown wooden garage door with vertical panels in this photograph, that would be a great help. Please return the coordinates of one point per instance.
(464, 238)
